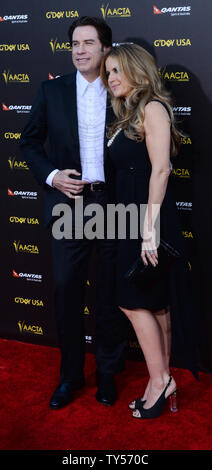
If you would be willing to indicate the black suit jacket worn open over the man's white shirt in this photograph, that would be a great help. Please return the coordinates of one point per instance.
(54, 115)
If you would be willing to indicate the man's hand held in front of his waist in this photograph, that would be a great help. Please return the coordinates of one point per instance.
(71, 187)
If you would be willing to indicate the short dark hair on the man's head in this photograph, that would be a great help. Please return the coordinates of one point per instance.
(104, 31)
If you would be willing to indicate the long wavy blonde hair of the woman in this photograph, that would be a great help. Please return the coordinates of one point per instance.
(140, 69)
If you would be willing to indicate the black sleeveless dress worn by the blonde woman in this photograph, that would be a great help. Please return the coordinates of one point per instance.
(132, 169)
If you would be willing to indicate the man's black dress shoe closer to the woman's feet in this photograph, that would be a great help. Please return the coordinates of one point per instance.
(106, 393)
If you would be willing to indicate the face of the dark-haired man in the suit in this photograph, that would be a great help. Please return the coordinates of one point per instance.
(87, 51)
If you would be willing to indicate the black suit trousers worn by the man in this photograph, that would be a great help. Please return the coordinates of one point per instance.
(71, 259)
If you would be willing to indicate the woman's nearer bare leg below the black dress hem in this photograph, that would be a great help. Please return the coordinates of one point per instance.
(150, 338)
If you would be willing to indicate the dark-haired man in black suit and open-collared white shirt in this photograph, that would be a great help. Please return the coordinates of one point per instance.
(72, 112)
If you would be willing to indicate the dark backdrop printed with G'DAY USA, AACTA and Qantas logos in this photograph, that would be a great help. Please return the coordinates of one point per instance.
(34, 47)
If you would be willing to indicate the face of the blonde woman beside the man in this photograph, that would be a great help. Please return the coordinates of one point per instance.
(117, 80)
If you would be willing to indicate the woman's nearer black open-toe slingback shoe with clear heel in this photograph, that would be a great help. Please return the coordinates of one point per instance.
(157, 408)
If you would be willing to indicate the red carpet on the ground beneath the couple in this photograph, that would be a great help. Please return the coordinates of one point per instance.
(29, 376)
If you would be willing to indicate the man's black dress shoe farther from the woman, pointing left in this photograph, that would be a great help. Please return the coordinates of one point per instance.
(63, 395)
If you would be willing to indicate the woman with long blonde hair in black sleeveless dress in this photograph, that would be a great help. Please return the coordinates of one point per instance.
(141, 140)
